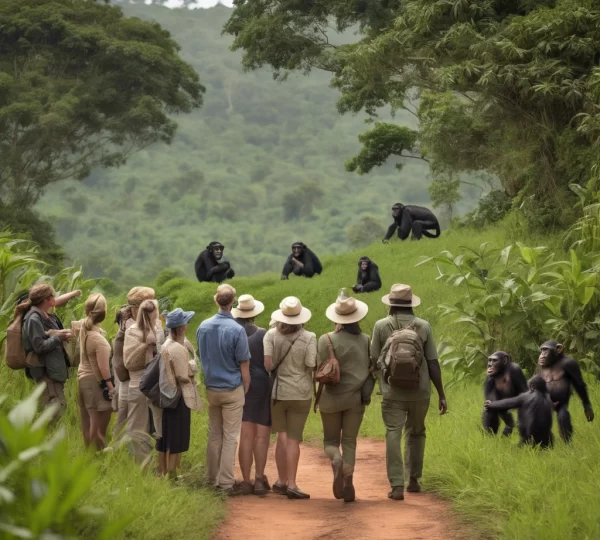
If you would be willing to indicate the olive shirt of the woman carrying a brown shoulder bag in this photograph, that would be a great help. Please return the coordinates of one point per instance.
(352, 353)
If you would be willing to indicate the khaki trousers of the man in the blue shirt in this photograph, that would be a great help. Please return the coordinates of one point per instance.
(224, 423)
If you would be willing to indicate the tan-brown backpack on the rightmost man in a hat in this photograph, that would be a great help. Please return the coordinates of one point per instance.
(404, 358)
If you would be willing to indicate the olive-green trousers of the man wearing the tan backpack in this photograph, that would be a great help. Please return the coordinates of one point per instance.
(410, 417)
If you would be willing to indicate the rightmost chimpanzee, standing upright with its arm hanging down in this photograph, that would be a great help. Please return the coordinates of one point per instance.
(560, 373)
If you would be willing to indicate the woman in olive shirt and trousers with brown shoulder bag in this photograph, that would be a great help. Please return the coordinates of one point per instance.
(342, 405)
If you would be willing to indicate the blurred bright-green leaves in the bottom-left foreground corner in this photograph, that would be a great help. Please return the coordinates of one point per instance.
(41, 487)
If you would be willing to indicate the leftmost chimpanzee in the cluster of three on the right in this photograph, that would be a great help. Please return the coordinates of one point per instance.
(505, 380)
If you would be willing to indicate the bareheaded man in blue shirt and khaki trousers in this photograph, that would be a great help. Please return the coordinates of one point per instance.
(225, 359)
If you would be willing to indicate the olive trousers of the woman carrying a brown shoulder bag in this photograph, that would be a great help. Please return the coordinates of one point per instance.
(342, 428)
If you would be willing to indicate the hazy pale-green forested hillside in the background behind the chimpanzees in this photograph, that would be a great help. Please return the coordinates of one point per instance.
(259, 166)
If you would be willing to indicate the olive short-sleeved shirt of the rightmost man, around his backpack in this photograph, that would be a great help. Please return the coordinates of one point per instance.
(382, 330)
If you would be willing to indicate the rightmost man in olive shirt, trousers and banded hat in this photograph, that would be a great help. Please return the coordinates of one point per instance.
(402, 408)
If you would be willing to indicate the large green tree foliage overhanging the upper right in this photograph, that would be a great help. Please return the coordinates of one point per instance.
(511, 89)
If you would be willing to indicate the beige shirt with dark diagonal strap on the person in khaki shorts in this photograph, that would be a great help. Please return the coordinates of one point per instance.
(295, 372)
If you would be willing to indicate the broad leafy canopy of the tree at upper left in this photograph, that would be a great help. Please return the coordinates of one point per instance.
(82, 86)
